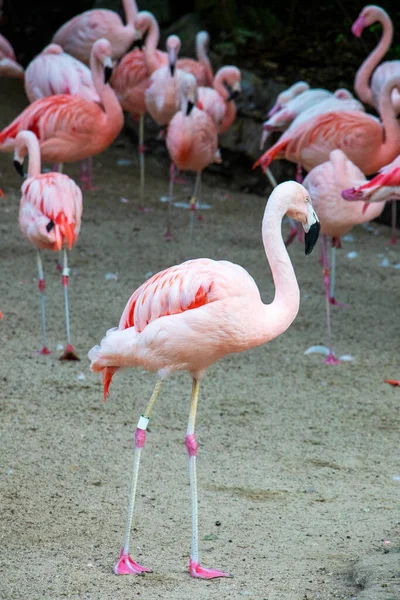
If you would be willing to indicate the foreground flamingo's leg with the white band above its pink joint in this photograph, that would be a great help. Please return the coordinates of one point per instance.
(126, 565)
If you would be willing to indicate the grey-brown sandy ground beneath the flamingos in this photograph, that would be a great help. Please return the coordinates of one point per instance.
(297, 460)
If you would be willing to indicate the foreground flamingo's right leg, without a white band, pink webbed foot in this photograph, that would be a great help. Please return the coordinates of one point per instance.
(191, 446)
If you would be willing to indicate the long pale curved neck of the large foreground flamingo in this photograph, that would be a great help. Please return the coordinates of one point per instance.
(285, 305)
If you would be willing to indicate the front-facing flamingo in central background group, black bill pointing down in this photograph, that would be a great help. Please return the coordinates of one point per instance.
(192, 142)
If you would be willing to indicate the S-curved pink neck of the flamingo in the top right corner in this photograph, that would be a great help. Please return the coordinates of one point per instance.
(363, 75)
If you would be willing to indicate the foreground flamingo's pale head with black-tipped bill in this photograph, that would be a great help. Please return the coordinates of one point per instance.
(301, 209)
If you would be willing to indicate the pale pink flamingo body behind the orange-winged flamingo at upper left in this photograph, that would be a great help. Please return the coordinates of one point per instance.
(54, 72)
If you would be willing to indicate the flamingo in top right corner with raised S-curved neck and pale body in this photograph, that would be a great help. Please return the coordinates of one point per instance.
(370, 93)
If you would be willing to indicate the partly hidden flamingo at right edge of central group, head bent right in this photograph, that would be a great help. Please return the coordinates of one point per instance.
(216, 101)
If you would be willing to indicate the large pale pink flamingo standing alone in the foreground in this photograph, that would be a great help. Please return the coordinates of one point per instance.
(193, 314)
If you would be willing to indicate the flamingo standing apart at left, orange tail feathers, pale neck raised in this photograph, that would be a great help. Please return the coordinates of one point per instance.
(49, 217)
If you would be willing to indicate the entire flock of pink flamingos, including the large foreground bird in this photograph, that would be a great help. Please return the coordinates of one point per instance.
(191, 315)
